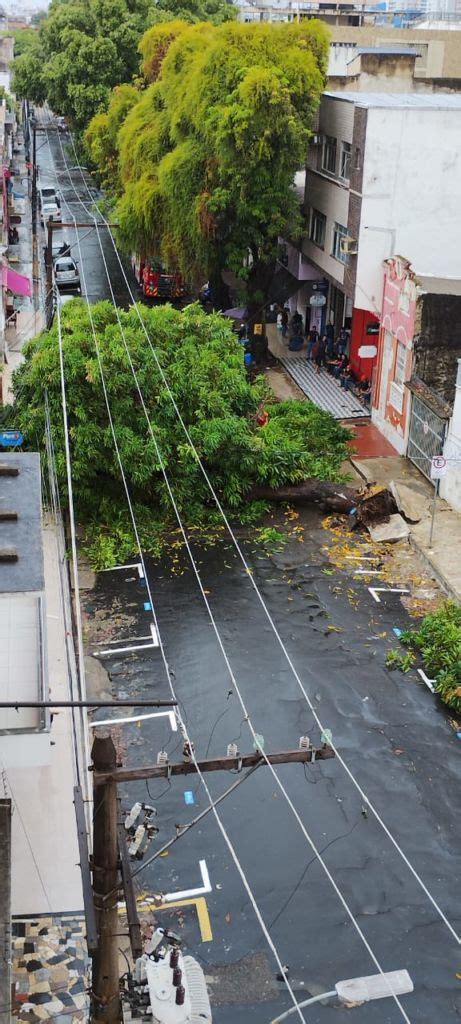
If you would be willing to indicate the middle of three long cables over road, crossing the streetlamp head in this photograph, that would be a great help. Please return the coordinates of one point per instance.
(226, 658)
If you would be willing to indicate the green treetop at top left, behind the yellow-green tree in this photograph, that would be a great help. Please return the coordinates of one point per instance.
(85, 49)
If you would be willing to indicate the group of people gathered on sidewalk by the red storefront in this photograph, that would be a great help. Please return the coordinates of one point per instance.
(324, 351)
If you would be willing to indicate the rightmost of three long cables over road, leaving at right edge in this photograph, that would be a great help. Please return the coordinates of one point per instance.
(262, 601)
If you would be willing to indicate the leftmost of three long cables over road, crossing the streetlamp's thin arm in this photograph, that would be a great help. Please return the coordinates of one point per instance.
(170, 680)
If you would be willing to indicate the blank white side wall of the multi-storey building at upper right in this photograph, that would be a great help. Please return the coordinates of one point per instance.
(399, 216)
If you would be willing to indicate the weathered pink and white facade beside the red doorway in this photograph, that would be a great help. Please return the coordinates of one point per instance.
(391, 401)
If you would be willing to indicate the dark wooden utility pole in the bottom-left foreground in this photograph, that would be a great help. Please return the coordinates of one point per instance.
(106, 990)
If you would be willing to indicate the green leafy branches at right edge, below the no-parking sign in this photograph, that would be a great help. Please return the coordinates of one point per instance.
(439, 643)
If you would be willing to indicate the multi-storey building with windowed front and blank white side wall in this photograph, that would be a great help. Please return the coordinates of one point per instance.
(384, 177)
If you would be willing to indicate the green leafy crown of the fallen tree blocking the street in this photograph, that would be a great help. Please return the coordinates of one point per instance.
(203, 363)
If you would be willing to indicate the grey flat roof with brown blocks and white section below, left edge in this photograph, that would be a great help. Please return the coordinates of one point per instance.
(24, 735)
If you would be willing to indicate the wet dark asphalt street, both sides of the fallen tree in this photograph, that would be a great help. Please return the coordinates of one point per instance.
(394, 735)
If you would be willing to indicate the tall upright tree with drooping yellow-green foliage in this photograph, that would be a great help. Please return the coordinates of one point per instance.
(208, 154)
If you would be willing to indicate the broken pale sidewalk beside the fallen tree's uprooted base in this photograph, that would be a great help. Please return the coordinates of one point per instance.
(417, 496)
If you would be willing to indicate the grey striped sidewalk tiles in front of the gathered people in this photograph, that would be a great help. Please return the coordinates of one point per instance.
(323, 390)
